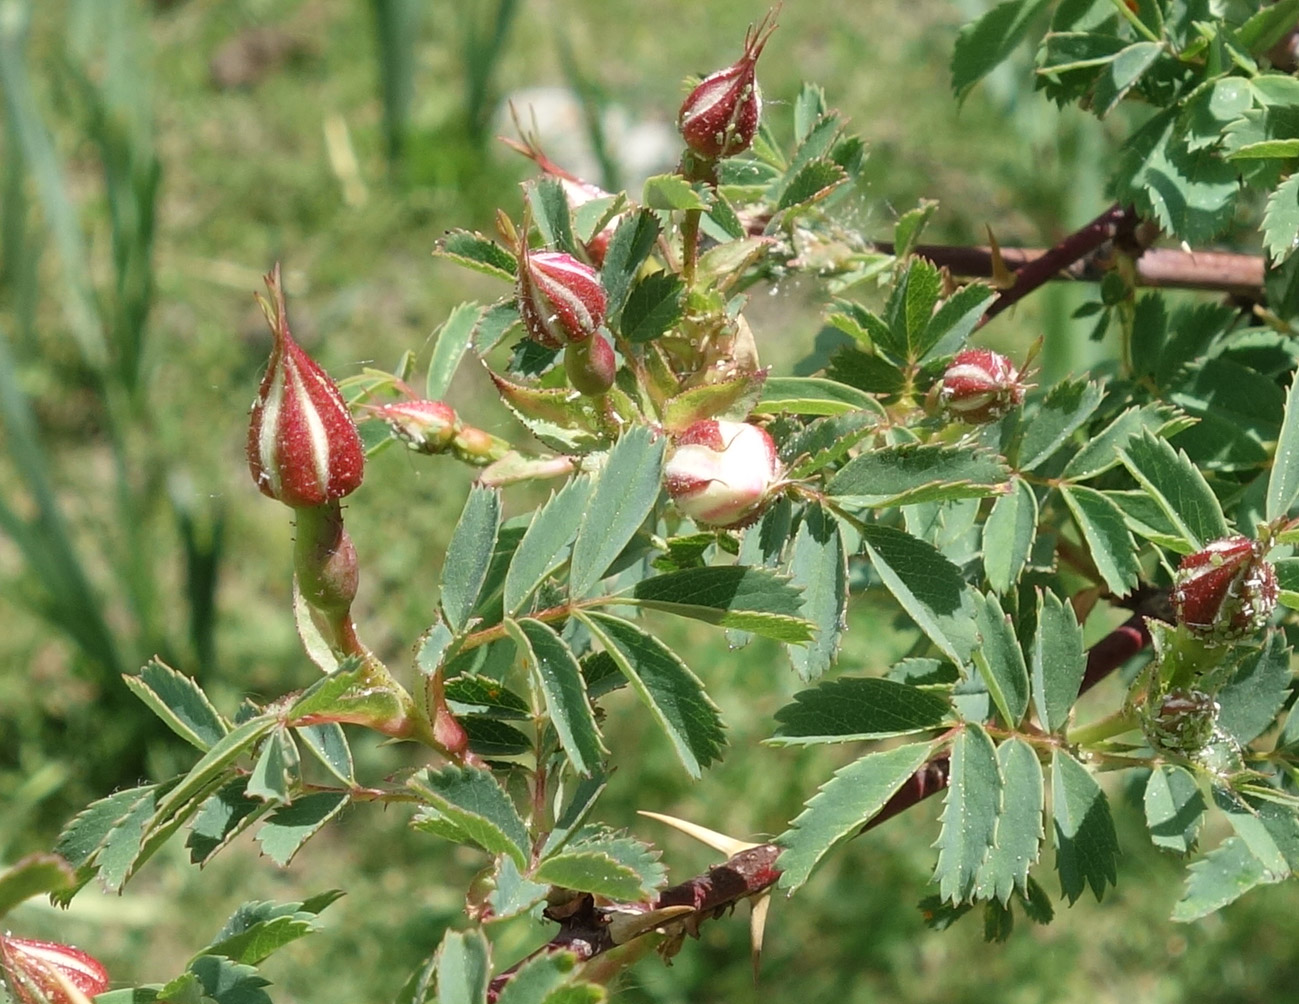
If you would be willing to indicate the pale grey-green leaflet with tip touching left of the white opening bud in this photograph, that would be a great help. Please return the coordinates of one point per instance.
(625, 493)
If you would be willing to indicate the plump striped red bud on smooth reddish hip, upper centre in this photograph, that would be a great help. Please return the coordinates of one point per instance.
(561, 298)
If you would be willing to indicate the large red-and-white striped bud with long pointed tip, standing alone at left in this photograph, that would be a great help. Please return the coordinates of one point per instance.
(303, 446)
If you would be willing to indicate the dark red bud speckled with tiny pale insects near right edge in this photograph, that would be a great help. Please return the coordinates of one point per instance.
(1226, 592)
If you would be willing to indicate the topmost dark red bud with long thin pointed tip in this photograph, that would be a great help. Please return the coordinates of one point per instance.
(720, 116)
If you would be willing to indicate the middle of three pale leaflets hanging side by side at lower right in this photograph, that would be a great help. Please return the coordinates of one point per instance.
(1019, 824)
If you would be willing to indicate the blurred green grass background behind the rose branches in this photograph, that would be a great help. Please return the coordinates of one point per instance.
(158, 158)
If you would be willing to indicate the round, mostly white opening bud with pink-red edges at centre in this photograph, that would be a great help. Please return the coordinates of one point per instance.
(723, 473)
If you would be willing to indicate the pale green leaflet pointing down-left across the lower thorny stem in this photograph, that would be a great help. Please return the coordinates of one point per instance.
(842, 807)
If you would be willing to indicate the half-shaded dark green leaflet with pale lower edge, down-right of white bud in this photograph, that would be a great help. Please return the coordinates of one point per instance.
(927, 585)
